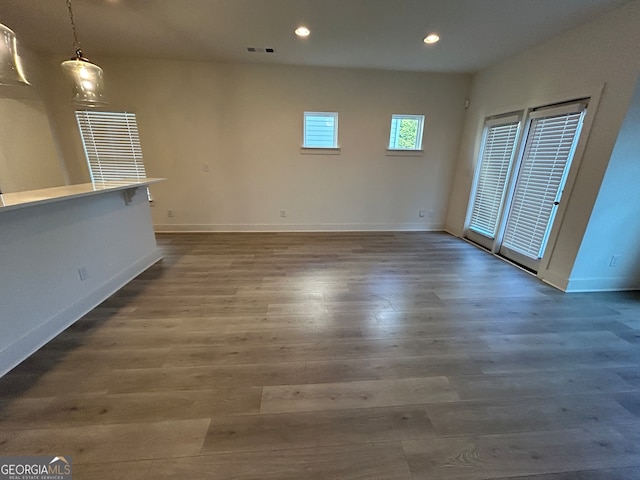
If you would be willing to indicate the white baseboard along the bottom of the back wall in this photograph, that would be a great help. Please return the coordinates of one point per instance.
(292, 227)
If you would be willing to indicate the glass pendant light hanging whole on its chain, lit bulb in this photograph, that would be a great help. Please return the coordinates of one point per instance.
(87, 77)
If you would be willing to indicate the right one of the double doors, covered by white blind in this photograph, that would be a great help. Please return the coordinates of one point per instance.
(547, 156)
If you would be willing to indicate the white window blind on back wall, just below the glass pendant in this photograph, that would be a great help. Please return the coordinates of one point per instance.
(111, 145)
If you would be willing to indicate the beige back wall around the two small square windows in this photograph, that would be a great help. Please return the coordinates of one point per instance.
(245, 123)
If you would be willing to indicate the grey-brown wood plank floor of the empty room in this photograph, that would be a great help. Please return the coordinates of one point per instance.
(336, 356)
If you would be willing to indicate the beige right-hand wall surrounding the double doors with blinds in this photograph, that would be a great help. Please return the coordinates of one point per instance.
(575, 64)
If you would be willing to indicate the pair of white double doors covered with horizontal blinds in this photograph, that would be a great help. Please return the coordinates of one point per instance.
(527, 196)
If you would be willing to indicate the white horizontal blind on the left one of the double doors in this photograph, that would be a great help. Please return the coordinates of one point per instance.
(497, 153)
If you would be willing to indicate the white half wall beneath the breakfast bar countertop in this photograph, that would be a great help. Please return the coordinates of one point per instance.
(41, 249)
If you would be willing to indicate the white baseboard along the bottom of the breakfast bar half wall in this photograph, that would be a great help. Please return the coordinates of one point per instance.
(28, 344)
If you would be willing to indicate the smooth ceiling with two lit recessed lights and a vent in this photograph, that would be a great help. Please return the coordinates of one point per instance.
(384, 34)
